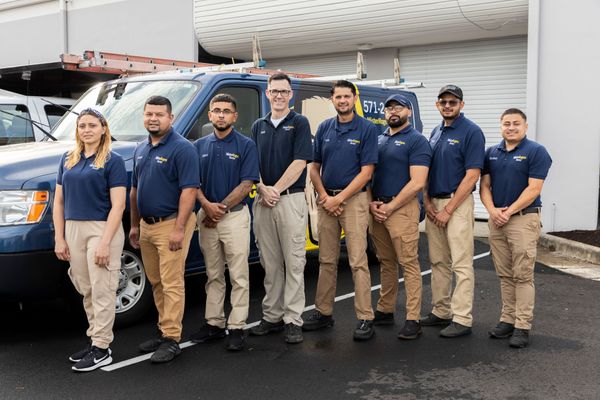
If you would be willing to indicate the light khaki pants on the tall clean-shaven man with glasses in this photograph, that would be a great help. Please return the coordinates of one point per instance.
(281, 239)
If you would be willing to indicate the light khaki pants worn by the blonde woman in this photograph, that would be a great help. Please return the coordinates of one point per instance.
(97, 285)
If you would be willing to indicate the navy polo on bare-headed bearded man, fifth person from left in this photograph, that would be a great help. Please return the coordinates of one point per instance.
(343, 148)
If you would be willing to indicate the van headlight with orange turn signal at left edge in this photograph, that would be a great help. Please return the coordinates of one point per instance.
(19, 207)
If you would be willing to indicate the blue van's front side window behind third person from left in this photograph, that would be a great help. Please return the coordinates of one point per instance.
(248, 108)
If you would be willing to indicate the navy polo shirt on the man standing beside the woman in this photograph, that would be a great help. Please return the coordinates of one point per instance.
(161, 172)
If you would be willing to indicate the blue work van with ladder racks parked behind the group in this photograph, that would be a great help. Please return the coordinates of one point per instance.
(28, 265)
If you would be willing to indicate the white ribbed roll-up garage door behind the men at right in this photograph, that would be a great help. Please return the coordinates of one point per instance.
(492, 74)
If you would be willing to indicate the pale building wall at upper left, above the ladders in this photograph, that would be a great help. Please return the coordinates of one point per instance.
(32, 34)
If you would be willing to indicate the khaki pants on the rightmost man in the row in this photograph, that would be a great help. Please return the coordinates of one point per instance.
(514, 248)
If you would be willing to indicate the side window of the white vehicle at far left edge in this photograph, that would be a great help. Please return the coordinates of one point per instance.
(15, 126)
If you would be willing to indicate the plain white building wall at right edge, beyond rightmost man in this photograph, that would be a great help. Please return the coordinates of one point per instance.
(567, 108)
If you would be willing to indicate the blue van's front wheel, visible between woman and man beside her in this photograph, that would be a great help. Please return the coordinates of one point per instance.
(134, 293)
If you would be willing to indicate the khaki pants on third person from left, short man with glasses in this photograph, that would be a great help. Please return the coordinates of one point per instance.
(228, 243)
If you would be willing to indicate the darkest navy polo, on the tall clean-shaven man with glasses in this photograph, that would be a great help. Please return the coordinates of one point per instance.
(279, 147)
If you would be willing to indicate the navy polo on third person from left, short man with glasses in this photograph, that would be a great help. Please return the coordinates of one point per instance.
(225, 163)
